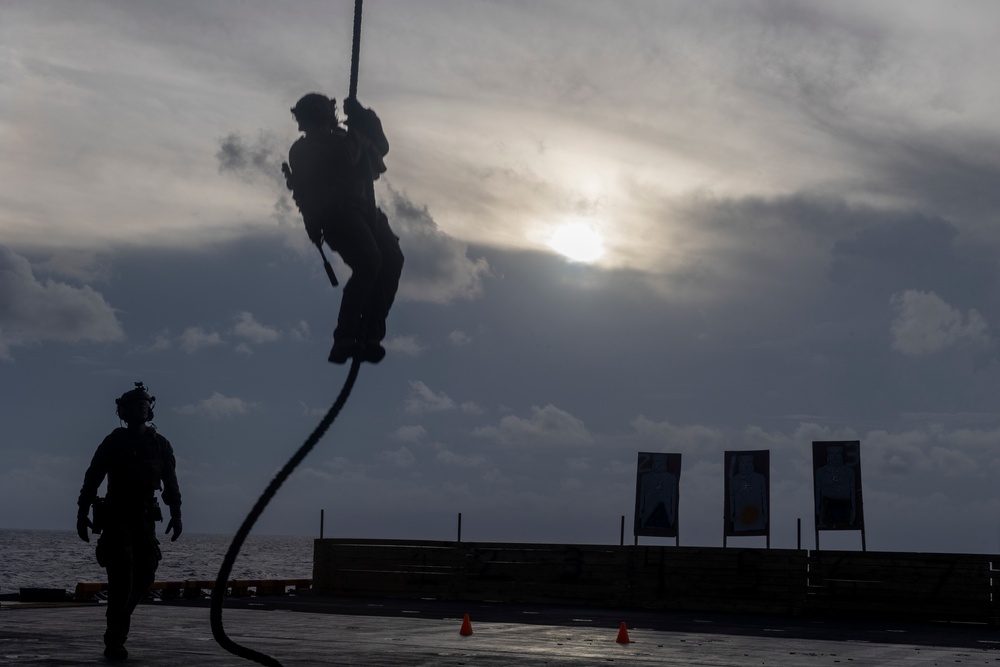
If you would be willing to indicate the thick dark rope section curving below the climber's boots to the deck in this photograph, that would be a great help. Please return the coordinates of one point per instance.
(221, 582)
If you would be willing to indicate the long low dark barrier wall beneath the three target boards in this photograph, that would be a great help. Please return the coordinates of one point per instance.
(946, 586)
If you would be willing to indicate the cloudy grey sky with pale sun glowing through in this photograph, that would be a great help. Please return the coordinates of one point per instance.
(686, 227)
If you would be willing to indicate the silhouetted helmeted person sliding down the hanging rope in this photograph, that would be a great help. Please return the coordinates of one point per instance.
(331, 172)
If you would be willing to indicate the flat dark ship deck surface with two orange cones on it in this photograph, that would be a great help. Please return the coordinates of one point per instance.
(335, 631)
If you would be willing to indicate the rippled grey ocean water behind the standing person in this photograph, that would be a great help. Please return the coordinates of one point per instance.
(60, 559)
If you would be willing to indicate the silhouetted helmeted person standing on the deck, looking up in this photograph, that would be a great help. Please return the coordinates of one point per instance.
(138, 462)
